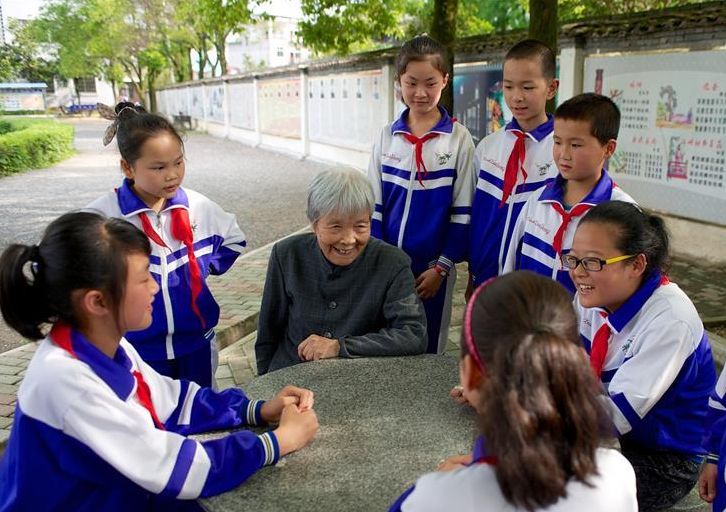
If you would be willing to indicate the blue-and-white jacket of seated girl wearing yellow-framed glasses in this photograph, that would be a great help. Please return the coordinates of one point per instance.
(658, 371)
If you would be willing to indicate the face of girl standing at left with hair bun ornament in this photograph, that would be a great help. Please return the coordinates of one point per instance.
(159, 170)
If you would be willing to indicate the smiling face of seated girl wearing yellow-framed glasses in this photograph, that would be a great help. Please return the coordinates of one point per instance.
(615, 283)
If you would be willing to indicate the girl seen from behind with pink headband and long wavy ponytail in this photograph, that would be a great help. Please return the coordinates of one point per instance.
(542, 426)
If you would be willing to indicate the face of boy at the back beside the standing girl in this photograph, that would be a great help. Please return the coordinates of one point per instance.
(526, 91)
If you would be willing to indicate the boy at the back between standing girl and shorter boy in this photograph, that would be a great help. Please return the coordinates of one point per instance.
(513, 162)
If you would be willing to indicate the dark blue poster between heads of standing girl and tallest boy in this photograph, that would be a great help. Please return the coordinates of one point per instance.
(479, 101)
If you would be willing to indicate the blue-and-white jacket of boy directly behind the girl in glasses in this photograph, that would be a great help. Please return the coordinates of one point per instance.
(532, 243)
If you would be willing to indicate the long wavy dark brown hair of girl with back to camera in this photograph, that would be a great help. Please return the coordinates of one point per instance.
(540, 414)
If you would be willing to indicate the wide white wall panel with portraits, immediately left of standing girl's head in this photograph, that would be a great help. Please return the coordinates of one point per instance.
(346, 110)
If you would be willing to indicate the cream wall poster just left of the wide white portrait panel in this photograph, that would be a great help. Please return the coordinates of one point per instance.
(279, 107)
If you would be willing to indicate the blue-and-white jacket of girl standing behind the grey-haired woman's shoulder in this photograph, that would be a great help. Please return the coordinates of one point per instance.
(428, 219)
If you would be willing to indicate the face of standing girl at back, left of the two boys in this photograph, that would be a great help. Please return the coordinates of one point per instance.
(421, 86)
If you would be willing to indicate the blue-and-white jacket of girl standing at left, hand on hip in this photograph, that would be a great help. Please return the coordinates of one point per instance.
(176, 330)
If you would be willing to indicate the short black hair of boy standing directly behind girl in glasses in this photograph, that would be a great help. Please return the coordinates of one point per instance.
(598, 110)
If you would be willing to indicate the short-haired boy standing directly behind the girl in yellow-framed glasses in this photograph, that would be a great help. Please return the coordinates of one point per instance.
(585, 135)
